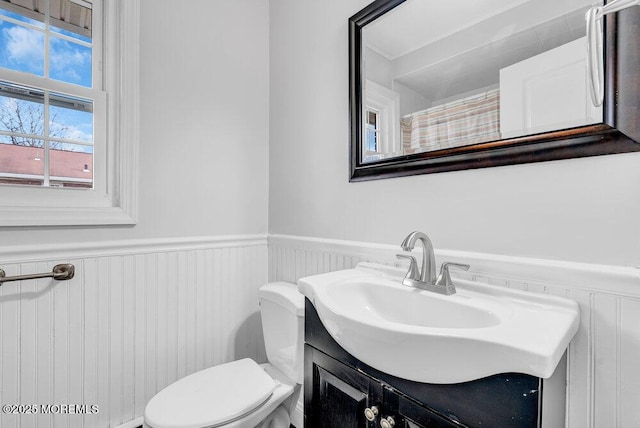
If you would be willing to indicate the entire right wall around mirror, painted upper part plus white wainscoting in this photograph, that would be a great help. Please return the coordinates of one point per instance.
(550, 215)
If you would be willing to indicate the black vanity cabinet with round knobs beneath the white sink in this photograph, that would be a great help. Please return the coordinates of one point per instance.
(340, 392)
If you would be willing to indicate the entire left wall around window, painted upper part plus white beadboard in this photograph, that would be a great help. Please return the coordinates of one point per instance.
(177, 292)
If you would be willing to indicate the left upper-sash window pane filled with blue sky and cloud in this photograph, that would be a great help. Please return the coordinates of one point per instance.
(22, 48)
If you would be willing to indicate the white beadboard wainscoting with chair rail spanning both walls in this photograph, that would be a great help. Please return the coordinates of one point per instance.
(141, 314)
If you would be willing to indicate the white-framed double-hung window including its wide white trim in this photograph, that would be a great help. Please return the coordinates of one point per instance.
(67, 156)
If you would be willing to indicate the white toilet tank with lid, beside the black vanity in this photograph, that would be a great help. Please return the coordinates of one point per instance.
(282, 312)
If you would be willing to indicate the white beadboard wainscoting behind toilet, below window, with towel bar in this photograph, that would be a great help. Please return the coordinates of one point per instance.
(137, 316)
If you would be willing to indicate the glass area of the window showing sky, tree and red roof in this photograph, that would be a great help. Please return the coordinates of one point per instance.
(58, 151)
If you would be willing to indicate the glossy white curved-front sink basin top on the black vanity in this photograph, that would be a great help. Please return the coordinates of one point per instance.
(427, 337)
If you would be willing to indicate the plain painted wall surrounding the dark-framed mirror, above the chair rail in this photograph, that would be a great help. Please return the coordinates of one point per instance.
(583, 210)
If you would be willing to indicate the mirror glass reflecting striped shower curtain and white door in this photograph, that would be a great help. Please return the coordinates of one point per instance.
(438, 75)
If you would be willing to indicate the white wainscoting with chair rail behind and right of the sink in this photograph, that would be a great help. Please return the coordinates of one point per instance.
(604, 358)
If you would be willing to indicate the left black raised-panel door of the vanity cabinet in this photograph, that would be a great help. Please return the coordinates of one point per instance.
(336, 396)
